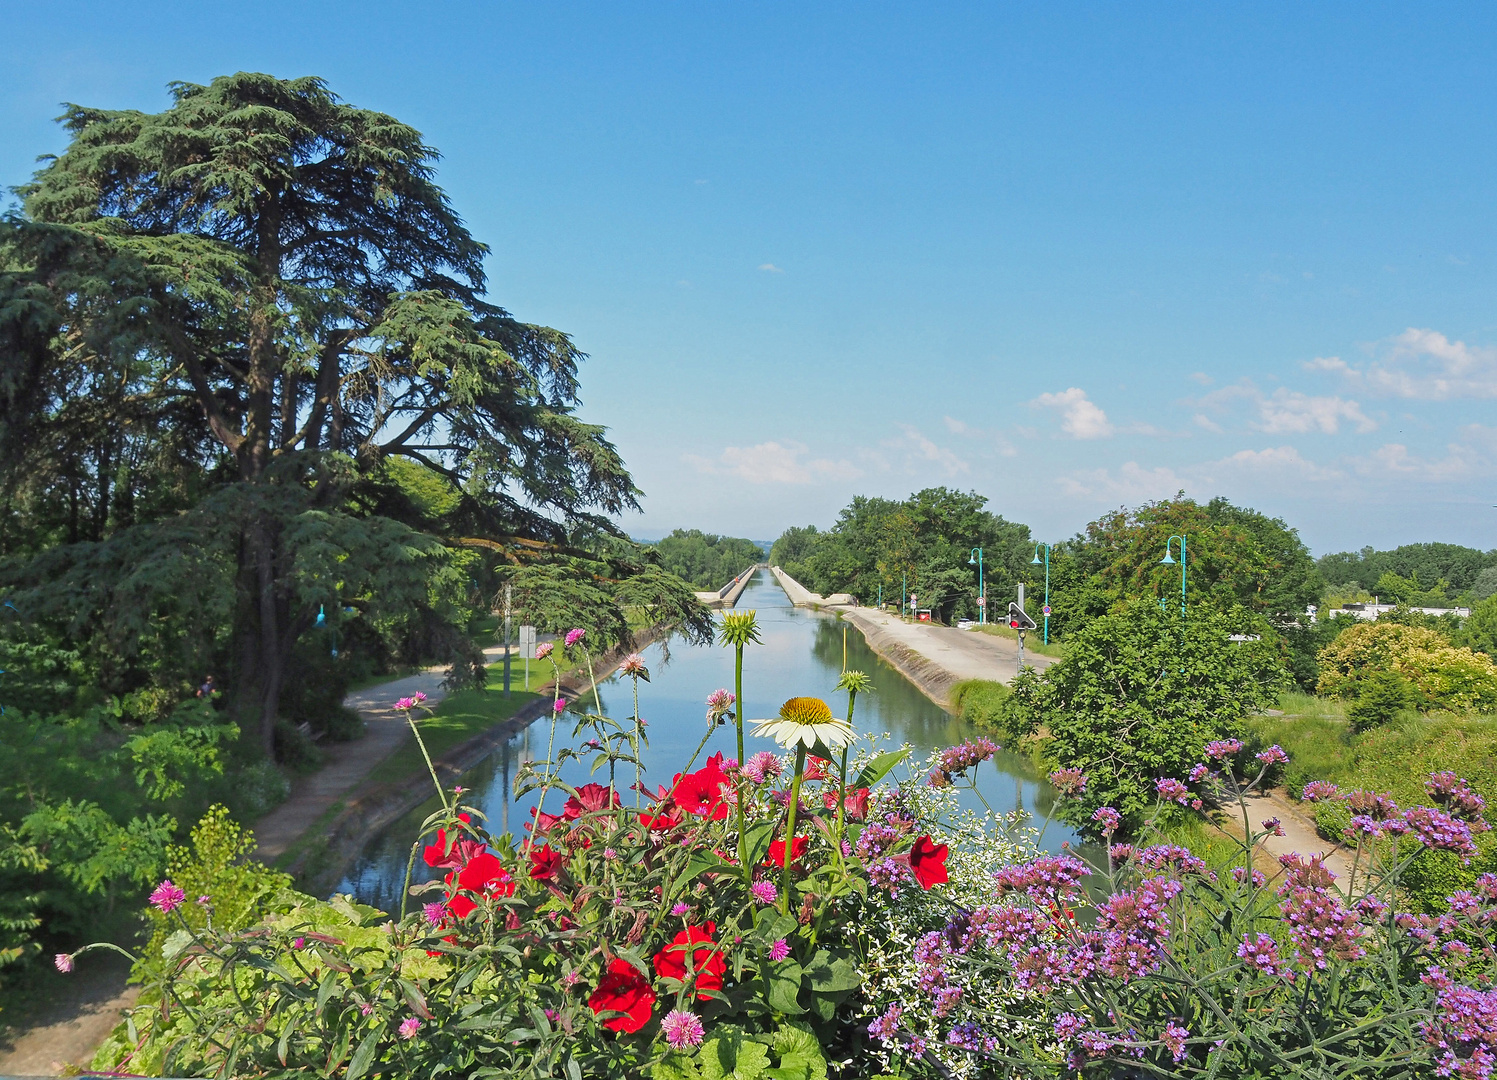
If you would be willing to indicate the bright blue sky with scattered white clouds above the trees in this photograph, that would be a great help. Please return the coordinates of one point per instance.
(1070, 257)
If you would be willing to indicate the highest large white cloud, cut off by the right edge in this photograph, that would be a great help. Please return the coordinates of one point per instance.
(1421, 365)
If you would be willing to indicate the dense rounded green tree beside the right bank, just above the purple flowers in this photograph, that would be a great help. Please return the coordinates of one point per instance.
(1138, 696)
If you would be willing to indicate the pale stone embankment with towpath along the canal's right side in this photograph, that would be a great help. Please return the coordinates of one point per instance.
(935, 658)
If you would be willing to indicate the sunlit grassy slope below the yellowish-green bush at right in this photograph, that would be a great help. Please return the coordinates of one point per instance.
(1396, 757)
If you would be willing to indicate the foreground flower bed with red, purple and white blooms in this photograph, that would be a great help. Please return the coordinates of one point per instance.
(803, 914)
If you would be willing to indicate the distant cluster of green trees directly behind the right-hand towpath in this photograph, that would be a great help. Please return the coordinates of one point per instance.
(923, 543)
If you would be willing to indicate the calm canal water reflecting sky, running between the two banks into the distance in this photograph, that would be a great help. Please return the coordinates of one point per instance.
(802, 657)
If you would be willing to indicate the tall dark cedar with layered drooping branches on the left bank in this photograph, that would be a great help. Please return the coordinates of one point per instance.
(263, 291)
